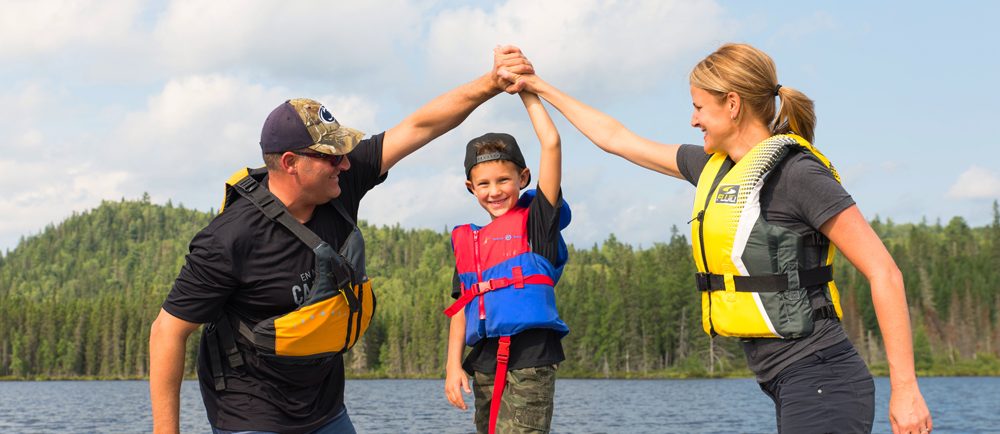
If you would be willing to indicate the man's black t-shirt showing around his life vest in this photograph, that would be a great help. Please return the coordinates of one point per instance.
(245, 265)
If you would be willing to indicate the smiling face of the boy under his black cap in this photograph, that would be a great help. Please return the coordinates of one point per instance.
(497, 185)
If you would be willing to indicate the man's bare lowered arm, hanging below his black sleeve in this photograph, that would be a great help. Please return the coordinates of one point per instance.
(167, 341)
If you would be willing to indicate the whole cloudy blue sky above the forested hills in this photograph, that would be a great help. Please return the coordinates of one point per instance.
(111, 99)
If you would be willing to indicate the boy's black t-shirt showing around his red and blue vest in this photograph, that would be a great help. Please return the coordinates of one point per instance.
(534, 347)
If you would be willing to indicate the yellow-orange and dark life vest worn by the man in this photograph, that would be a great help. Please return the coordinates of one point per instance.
(335, 313)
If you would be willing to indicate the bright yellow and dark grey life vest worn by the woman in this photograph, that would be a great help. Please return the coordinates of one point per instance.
(755, 277)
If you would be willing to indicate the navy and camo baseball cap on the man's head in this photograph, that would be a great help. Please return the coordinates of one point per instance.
(305, 123)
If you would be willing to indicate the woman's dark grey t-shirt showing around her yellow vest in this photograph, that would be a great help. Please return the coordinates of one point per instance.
(800, 194)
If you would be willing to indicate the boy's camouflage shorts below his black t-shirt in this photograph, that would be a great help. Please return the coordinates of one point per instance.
(526, 406)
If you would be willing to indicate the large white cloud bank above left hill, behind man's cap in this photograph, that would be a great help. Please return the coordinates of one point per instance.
(180, 146)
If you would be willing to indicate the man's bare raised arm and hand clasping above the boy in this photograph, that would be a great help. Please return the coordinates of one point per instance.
(448, 110)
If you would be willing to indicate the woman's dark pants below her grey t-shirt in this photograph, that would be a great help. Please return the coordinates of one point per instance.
(830, 391)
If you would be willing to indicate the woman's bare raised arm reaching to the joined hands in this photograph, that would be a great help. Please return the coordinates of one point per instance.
(606, 132)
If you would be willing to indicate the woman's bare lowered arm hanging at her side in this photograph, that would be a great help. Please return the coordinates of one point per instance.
(852, 235)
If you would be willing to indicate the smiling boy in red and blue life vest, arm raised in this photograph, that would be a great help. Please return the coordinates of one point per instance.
(505, 274)
